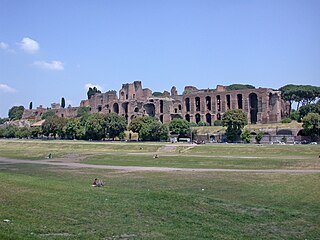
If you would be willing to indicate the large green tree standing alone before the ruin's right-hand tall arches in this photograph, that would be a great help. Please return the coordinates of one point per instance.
(234, 120)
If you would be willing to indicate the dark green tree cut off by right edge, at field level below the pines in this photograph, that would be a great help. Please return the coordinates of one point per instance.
(311, 125)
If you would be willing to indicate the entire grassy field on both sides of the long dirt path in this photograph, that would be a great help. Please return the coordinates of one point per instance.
(50, 202)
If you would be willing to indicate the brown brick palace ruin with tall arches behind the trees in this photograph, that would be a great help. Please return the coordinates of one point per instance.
(262, 105)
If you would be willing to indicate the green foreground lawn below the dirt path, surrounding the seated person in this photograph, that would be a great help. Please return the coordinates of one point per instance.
(44, 202)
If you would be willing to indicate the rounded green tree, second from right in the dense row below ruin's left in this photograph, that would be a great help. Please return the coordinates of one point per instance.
(95, 126)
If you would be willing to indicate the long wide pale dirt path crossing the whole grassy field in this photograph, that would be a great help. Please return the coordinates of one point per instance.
(155, 169)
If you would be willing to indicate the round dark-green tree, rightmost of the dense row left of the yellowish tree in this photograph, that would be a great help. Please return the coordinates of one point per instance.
(115, 125)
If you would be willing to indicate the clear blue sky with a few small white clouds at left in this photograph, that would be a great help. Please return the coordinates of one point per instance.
(56, 48)
